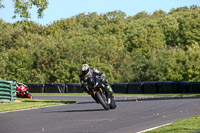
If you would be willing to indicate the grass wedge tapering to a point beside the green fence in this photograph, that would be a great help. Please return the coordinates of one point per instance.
(24, 103)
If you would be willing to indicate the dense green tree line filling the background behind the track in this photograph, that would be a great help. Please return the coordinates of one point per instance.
(144, 47)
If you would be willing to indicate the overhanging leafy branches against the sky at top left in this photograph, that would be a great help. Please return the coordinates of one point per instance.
(22, 7)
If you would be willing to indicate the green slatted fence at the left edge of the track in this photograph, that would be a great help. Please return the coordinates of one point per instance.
(7, 91)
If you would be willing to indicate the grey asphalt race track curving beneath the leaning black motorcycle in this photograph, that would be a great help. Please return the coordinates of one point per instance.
(132, 115)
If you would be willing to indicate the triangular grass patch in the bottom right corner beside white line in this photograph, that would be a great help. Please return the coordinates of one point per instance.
(190, 125)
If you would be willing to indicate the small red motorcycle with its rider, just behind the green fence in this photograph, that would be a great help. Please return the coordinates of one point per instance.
(23, 91)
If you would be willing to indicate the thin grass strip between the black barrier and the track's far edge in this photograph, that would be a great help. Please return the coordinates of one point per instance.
(119, 94)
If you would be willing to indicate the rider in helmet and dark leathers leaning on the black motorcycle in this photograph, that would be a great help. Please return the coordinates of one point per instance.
(86, 73)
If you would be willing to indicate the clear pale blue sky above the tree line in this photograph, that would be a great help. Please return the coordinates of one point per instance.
(62, 9)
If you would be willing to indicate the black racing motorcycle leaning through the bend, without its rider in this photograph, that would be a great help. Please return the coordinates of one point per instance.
(95, 87)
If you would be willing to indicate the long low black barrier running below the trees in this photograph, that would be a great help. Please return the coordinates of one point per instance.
(126, 88)
